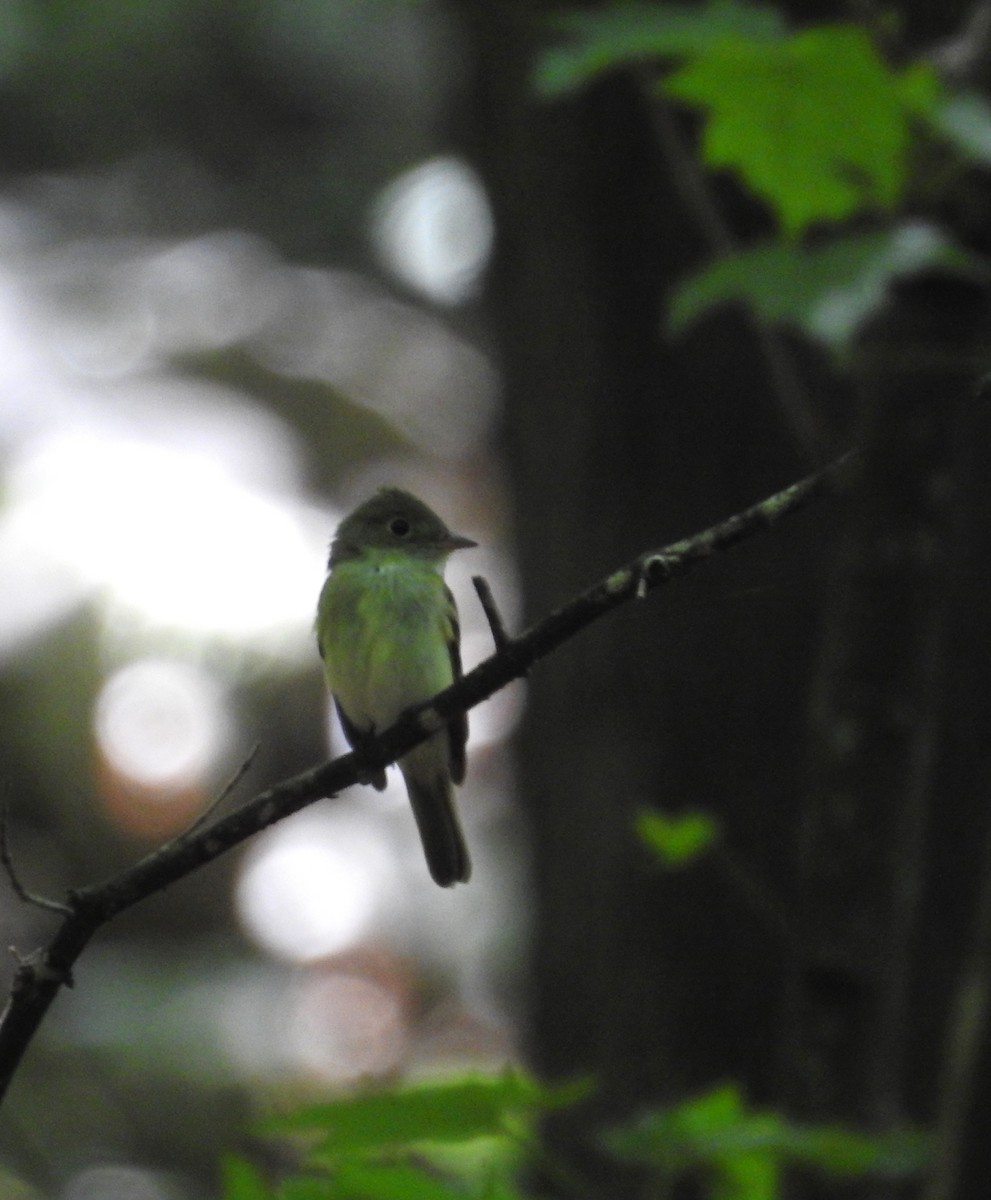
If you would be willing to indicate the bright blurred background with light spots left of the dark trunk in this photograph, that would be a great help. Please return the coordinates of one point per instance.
(239, 267)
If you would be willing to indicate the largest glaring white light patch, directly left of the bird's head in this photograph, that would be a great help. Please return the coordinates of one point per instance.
(167, 535)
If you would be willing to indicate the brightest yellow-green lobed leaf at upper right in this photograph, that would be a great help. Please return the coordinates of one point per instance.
(815, 124)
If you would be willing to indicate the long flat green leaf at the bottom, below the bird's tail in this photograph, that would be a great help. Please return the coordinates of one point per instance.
(448, 1112)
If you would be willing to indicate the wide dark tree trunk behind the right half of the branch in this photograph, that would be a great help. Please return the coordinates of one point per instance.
(617, 441)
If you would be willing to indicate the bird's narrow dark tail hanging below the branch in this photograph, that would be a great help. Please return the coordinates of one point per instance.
(428, 777)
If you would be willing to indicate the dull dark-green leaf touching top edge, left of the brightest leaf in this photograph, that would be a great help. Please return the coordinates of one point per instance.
(604, 39)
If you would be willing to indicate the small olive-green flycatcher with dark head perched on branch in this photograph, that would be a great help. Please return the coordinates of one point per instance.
(389, 635)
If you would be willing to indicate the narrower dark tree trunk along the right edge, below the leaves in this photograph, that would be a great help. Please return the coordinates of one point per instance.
(890, 820)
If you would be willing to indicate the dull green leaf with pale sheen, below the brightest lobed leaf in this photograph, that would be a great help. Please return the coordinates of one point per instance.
(826, 292)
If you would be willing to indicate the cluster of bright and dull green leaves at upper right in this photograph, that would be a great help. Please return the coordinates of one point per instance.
(819, 124)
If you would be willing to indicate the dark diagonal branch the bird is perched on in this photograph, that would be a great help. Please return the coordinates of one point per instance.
(41, 976)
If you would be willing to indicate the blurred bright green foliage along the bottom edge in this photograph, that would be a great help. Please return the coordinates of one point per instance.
(472, 1138)
